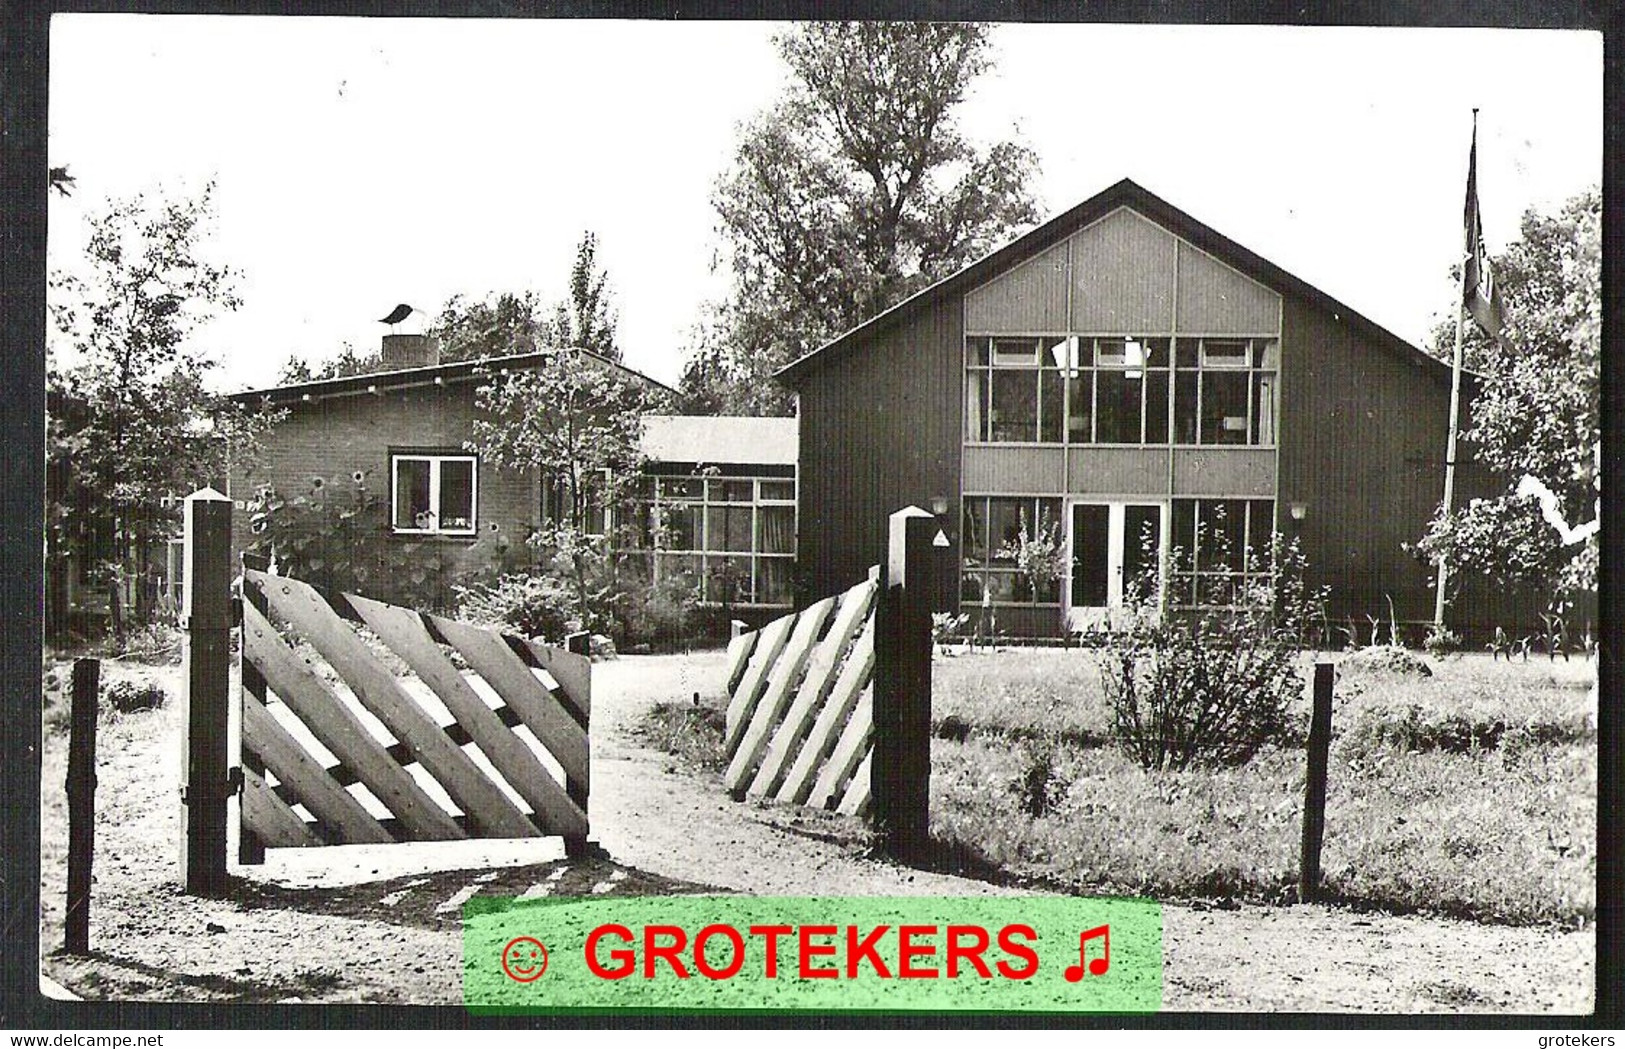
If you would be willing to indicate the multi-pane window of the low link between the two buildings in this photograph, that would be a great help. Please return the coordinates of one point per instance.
(734, 537)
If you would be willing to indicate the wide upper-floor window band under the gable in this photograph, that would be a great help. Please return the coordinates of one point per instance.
(1122, 391)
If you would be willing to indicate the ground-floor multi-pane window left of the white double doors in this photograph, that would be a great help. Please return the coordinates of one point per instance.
(994, 527)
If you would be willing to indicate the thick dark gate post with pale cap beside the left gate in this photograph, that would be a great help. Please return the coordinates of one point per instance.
(207, 613)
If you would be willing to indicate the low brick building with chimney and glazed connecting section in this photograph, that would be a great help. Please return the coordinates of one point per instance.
(724, 488)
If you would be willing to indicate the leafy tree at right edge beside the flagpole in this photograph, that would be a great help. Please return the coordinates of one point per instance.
(1538, 410)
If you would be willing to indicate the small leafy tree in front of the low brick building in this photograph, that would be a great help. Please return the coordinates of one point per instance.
(578, 423)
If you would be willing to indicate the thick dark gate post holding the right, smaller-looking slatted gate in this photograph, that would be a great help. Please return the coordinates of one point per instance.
(901, 771)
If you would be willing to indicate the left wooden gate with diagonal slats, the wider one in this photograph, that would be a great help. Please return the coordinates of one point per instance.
(362, 725)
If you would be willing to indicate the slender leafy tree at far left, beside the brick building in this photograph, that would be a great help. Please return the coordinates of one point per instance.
(132, 423)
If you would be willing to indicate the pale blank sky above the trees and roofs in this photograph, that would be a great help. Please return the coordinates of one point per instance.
(363, 163)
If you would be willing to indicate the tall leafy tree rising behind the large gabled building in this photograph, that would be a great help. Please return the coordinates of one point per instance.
(849, 196)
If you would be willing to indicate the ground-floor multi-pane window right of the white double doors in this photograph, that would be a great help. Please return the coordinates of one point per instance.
(1221, 546)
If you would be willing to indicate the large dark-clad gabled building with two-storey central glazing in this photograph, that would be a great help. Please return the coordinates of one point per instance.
(1133, 381)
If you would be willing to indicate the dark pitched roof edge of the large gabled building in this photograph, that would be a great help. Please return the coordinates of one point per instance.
(1133, 196)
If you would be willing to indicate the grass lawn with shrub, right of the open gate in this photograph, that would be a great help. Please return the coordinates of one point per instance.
(1470, 793)
